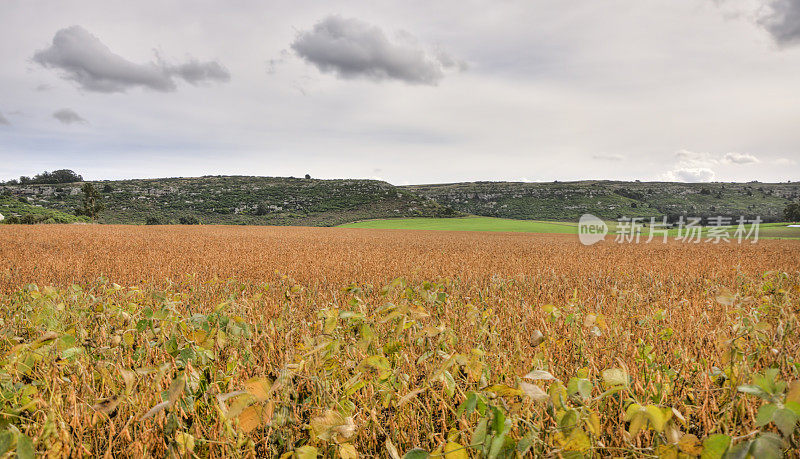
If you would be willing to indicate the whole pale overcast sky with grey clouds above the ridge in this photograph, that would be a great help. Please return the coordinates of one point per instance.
(405, 91)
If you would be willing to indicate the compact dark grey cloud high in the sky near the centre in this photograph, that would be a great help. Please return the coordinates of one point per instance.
(351, 48)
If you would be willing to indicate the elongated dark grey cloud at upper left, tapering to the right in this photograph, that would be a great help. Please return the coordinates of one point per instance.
(83, 58)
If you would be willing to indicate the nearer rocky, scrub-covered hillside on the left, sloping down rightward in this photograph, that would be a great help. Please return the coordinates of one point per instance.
(236, 200)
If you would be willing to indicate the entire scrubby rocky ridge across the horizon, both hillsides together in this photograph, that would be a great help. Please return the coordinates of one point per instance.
(242, 200)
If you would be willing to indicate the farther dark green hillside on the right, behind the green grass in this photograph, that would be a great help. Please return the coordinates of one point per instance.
(567, 201)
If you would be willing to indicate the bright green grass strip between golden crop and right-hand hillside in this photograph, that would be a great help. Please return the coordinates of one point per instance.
(767, 230)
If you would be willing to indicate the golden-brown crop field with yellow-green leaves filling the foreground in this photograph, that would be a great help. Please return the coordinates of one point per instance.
(216, 341)
